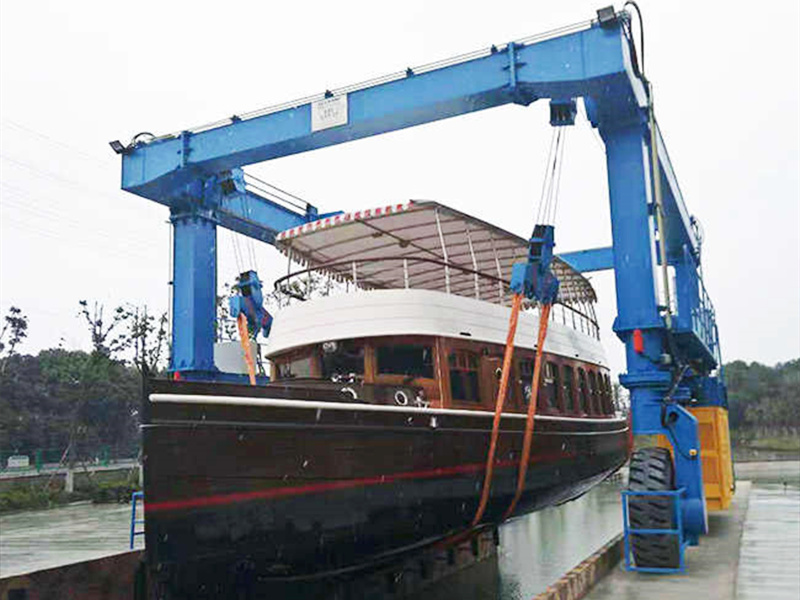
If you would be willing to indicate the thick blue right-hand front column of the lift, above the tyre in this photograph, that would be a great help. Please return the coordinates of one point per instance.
(640, 323)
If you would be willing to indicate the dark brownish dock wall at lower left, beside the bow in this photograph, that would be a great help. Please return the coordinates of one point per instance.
(108, 578)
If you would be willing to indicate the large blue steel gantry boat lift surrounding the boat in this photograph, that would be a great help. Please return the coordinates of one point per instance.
(670, 334)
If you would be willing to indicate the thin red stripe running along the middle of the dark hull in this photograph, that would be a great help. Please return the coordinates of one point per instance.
(329, 486)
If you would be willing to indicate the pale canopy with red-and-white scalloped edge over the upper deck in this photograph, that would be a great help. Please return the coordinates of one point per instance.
(421, 245)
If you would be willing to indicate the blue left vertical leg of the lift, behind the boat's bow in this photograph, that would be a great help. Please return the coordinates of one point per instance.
(194, 294)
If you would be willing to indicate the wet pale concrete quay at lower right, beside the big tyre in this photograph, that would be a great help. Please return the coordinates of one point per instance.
(752, 550)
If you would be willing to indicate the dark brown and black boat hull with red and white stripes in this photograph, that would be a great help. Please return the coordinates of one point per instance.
(300, 488)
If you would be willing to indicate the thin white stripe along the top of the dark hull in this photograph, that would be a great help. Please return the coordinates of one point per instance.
(353, 406)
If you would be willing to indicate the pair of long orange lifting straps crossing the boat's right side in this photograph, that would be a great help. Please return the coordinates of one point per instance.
(502, 392)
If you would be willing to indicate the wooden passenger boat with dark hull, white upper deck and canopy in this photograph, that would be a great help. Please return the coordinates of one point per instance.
(371, 438)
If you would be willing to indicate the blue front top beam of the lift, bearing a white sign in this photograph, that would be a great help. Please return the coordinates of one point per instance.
(591, 62)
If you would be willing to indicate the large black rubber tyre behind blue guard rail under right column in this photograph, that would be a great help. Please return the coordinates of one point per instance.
(652, 470)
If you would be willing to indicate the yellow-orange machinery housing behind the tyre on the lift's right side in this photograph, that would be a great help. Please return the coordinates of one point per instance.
(715, 452)
